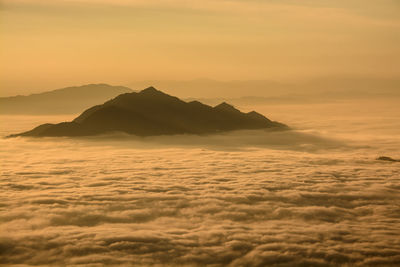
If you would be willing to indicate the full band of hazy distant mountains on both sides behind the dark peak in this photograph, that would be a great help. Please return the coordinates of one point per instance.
(72, 100)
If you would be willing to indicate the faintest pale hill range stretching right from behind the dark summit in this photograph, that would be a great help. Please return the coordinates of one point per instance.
(322, 89)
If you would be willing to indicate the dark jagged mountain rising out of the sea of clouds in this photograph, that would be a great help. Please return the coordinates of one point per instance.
(152, 112)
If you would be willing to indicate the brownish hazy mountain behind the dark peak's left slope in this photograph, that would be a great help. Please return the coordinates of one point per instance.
(61, 101)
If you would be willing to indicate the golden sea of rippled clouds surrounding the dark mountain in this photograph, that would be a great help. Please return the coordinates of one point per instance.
(251, 198)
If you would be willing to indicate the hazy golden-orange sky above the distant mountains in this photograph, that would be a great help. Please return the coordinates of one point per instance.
(45, 44)
